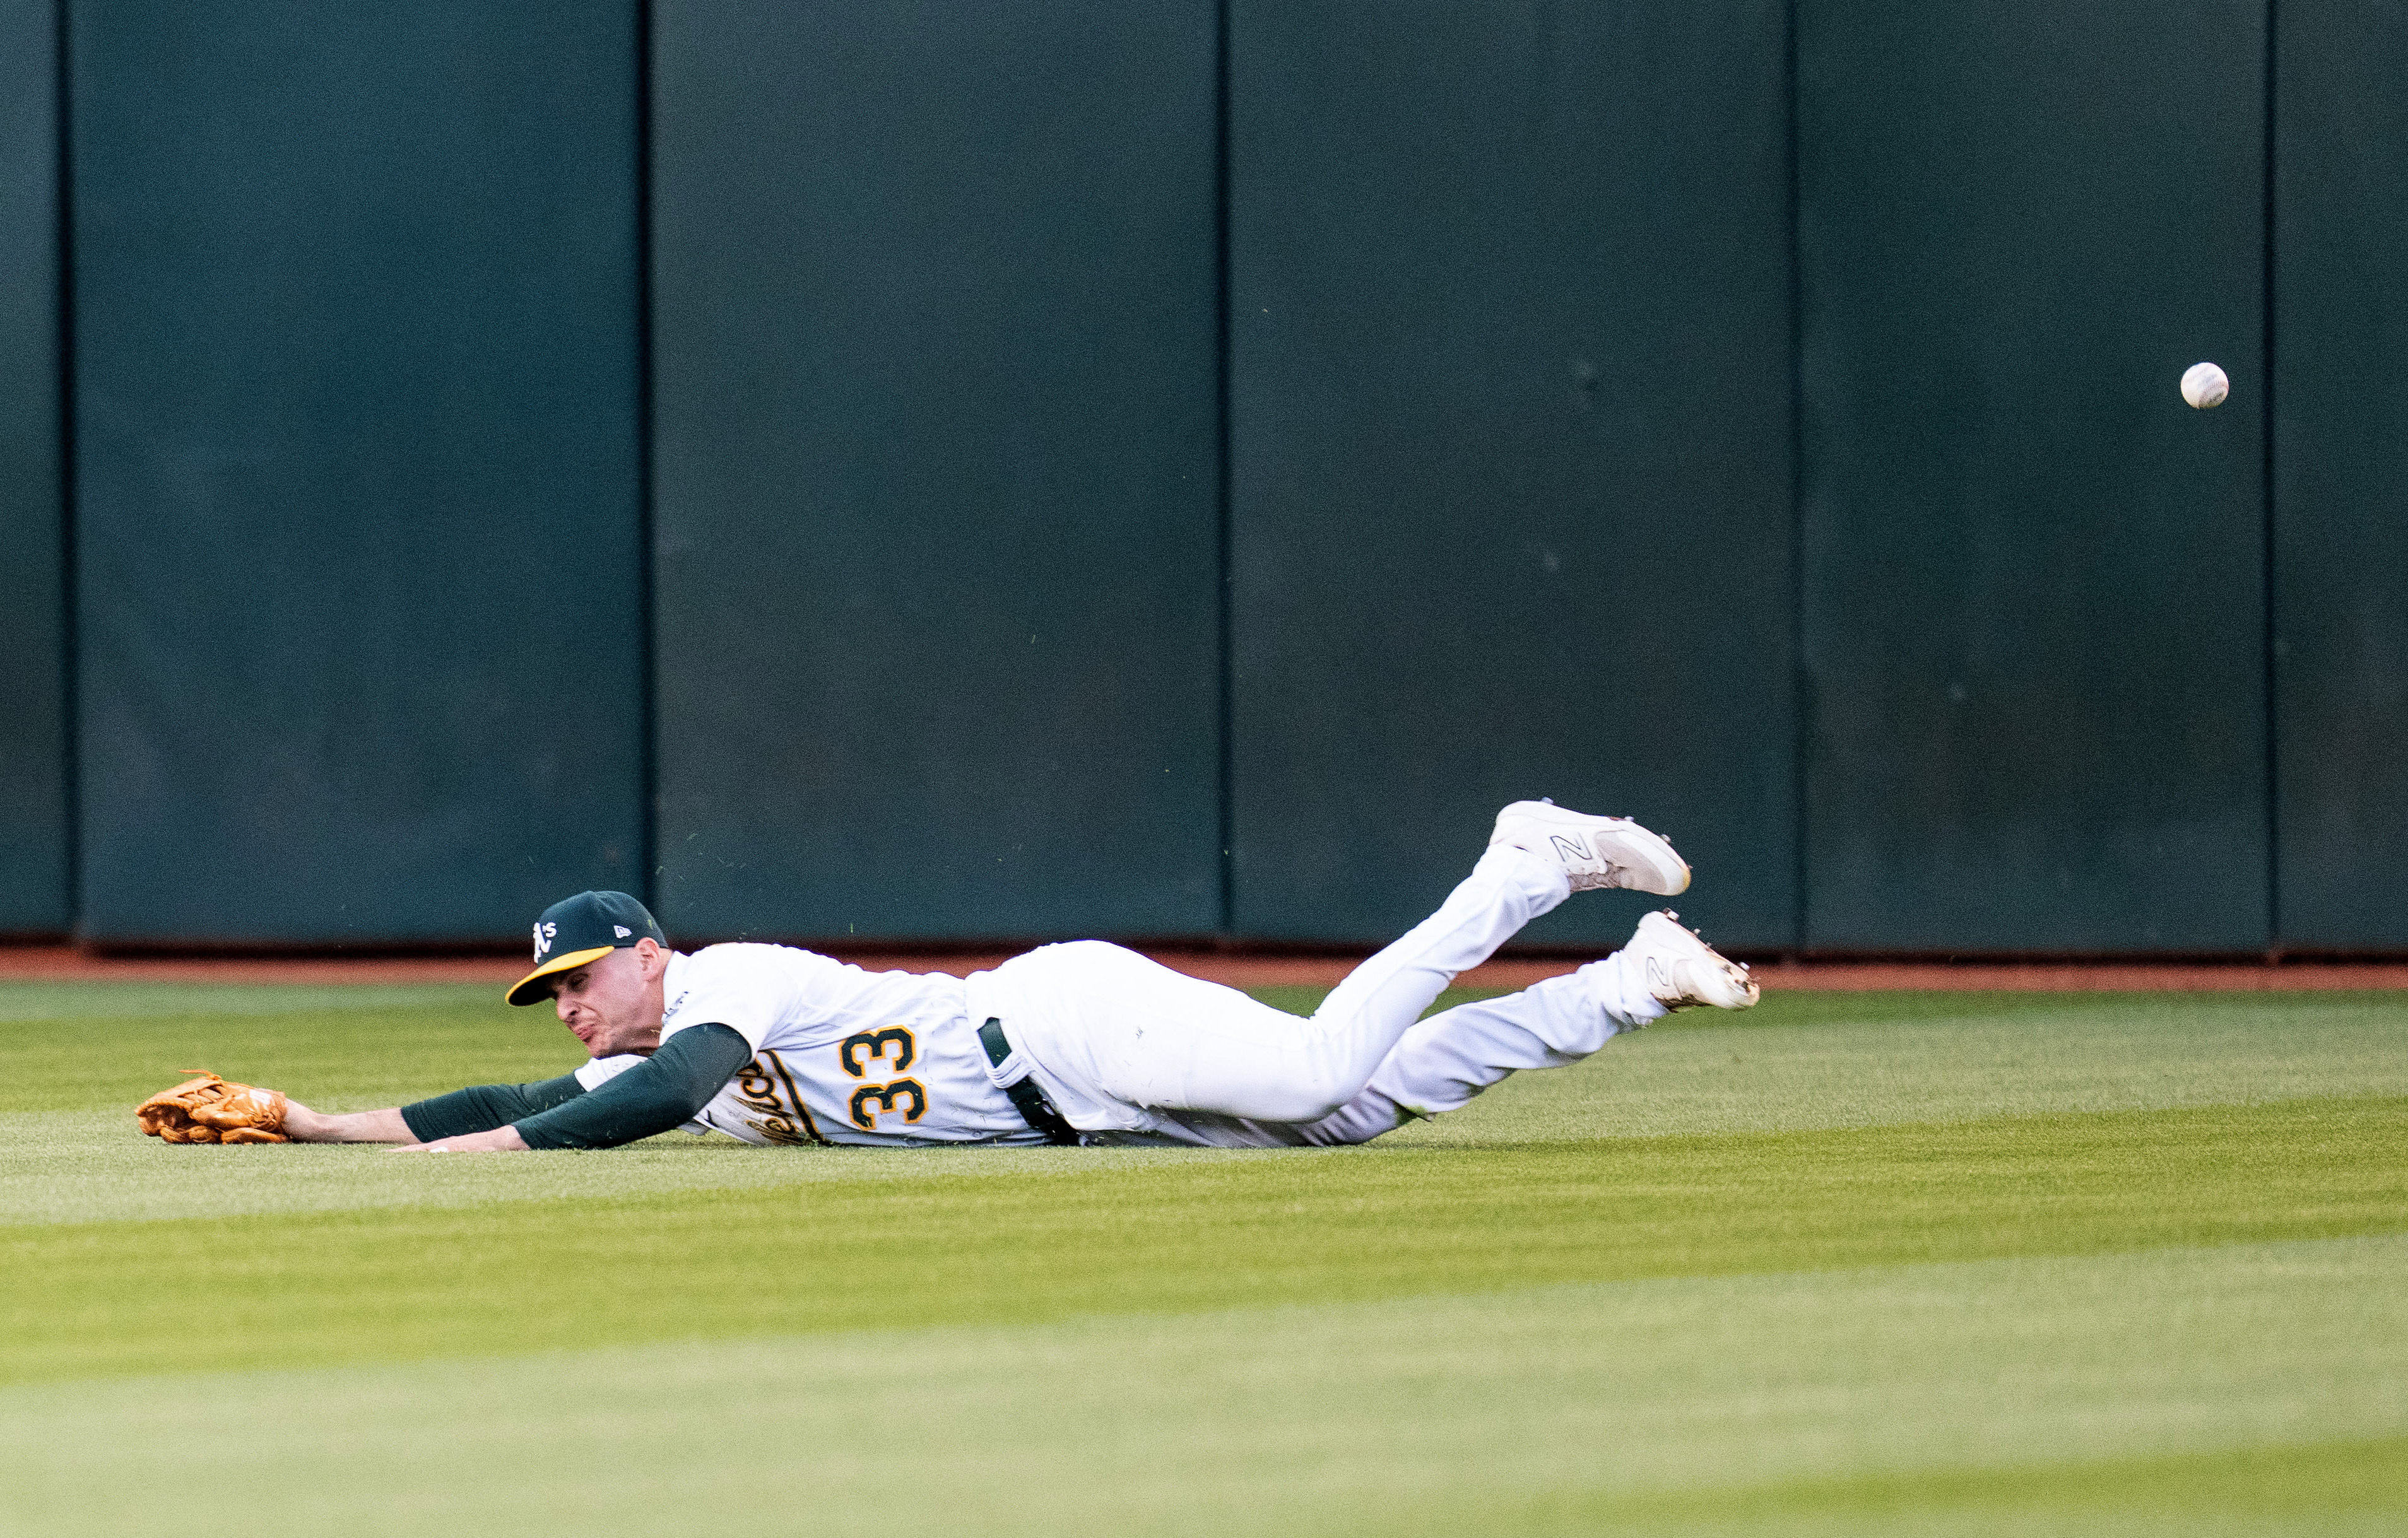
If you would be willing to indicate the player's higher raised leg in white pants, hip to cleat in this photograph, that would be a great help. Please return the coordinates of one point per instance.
(1119, 1036)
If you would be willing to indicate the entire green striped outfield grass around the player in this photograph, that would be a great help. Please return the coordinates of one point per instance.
(1846, 1265)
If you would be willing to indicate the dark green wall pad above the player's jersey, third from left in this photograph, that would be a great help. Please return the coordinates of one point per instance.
(936, 471)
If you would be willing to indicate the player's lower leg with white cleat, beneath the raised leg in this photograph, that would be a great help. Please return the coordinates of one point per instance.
(1451, 1058)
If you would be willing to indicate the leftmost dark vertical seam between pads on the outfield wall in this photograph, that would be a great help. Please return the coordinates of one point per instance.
(71, 730)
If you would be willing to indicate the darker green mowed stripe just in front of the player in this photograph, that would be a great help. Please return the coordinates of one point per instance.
(1338, 1226)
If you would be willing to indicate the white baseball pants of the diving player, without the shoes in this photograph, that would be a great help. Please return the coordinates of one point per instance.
(1133, 1051)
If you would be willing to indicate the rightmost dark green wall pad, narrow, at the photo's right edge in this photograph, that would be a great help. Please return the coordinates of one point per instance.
(2342, 475)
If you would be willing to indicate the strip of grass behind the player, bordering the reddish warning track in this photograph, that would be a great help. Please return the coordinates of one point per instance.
(1798, 1060)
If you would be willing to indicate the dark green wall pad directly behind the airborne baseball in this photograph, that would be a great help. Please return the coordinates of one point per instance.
(2034, 576)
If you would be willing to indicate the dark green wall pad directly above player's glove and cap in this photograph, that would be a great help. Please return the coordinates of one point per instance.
(358, 468)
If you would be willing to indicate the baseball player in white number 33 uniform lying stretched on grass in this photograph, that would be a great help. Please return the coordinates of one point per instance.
(1078, 1043)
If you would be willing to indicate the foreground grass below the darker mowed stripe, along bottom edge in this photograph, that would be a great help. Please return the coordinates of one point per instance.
(2257, 1380)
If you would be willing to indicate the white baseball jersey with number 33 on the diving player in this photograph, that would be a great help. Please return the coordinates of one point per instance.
(839, 1055)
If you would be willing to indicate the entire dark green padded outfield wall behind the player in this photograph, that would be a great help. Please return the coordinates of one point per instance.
(1013, 473)
